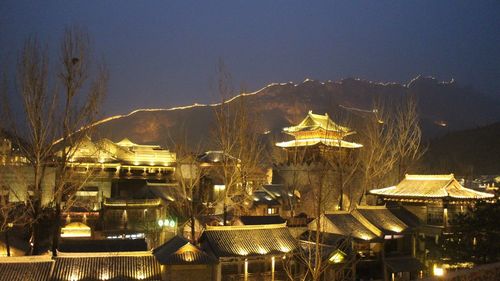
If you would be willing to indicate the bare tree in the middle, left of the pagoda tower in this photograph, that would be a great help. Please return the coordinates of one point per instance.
(236, 136)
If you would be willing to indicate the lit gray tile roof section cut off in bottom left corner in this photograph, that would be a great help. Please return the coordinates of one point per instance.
(25, 268)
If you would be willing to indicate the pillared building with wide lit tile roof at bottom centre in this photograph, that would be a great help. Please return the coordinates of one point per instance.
(249, 252)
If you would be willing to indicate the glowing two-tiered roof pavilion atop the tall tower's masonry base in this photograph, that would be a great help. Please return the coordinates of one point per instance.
(316, 137)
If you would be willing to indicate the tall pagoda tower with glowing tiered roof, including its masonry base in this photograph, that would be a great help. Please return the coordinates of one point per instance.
(312, 158)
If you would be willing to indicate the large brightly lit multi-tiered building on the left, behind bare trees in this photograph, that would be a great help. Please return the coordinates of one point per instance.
(120, 181)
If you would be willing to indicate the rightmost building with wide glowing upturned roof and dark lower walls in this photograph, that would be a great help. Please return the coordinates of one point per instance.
(435, 200)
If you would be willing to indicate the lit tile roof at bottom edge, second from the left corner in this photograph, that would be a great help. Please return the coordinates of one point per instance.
(126, 266)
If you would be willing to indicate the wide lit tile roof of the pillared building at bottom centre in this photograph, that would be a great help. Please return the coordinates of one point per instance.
(242, 241)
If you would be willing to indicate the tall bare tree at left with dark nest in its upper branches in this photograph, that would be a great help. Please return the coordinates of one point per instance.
(80, 110)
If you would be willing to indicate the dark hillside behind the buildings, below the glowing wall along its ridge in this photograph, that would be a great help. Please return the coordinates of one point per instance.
(278, 105)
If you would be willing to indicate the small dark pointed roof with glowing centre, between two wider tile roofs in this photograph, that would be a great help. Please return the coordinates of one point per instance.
(178, 251)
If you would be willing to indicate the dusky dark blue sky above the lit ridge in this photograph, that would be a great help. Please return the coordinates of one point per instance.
(164, 53)
